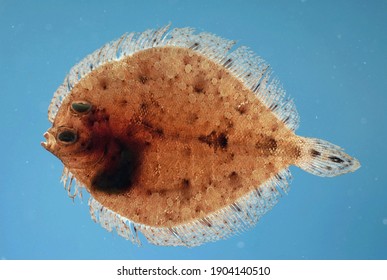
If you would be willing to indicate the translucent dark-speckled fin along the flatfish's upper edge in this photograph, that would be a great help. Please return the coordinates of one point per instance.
(242, 62)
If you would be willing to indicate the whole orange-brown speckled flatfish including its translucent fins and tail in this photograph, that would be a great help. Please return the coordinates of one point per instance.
(180, 137)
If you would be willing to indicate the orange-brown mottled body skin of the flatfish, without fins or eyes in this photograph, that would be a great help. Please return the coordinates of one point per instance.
(170, 137)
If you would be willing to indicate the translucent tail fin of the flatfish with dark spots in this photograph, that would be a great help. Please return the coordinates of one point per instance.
(324, 159)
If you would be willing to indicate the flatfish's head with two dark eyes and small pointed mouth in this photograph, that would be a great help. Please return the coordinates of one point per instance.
(78, 135)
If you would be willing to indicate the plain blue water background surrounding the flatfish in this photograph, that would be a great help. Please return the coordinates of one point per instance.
(331, 57)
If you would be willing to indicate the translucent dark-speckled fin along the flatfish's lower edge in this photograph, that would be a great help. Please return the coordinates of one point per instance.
(237, 217)
